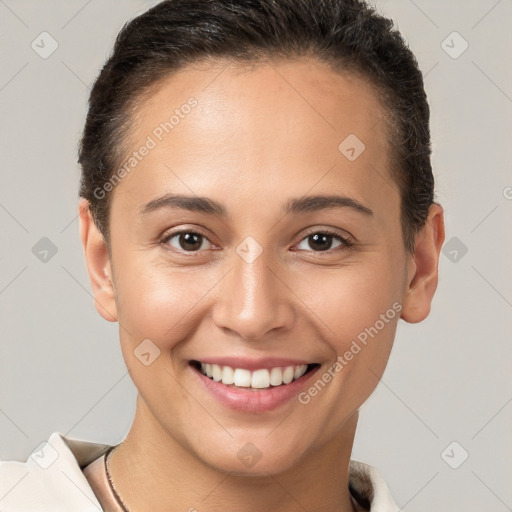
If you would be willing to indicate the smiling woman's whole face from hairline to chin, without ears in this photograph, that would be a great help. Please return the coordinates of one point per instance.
(265, 273)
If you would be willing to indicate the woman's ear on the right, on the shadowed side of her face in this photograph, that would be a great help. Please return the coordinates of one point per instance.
(422, 275)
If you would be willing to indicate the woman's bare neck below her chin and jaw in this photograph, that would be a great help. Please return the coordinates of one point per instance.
(152, 471)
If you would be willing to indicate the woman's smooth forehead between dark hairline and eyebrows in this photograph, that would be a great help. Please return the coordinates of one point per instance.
(217, 125)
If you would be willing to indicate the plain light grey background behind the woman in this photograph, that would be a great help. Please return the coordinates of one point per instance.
(449, 378)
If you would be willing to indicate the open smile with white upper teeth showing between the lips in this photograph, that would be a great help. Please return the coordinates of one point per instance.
(260, 379)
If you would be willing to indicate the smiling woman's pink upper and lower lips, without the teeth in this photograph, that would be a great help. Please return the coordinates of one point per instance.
(256, 401)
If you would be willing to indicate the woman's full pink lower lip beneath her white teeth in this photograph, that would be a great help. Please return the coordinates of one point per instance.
(255, 401)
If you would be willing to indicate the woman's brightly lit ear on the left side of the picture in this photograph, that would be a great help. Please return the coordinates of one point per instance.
(98, 263)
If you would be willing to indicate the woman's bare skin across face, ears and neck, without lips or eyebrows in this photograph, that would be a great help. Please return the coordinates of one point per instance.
(260, 135)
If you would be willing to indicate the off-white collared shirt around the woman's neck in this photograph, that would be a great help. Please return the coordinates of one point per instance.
(67, 475)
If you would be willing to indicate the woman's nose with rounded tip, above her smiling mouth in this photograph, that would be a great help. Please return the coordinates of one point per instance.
(254, 299)
